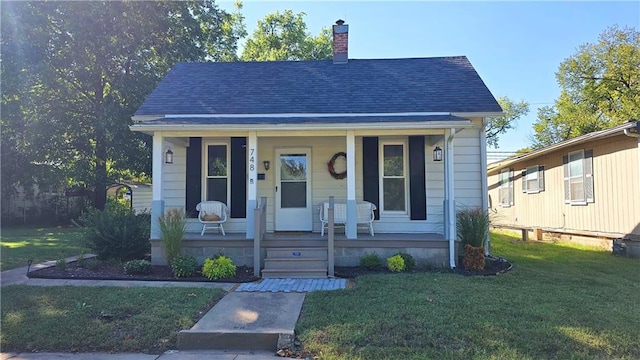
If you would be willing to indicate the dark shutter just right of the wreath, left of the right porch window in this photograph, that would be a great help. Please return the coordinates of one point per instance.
(370, 172)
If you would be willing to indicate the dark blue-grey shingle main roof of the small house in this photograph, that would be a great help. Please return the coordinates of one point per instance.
(442, 84)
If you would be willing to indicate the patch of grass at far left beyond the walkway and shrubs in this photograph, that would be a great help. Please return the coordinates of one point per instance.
(19, 245)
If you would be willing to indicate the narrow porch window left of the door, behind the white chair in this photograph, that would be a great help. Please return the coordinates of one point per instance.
(217, 173)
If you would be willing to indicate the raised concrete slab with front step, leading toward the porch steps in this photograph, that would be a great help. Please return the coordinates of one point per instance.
(246, 321)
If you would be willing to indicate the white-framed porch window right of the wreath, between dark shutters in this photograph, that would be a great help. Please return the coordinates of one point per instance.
(394, 178)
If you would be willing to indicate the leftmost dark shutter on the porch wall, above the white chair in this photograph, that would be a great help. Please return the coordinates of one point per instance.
(194, 176)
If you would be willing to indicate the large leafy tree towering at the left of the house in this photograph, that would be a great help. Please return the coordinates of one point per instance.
(76, 71)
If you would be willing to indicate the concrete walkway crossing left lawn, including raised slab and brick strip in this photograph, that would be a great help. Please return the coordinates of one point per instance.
(257, 317)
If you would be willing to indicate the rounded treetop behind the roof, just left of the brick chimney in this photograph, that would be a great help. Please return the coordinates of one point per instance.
(284, 36)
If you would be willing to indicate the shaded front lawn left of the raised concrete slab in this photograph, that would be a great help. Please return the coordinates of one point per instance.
(90, 319)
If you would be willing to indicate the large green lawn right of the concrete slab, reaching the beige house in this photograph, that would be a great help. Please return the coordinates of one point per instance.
(558, 302)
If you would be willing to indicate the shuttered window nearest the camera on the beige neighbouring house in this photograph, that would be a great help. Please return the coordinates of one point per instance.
(578, 177)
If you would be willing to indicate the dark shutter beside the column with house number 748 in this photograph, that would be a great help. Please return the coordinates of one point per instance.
(238, 177)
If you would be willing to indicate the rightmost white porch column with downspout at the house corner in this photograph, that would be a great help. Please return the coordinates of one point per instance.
(450, 205)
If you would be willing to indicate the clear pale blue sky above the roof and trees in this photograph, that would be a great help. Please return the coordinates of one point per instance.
(515, 46)
